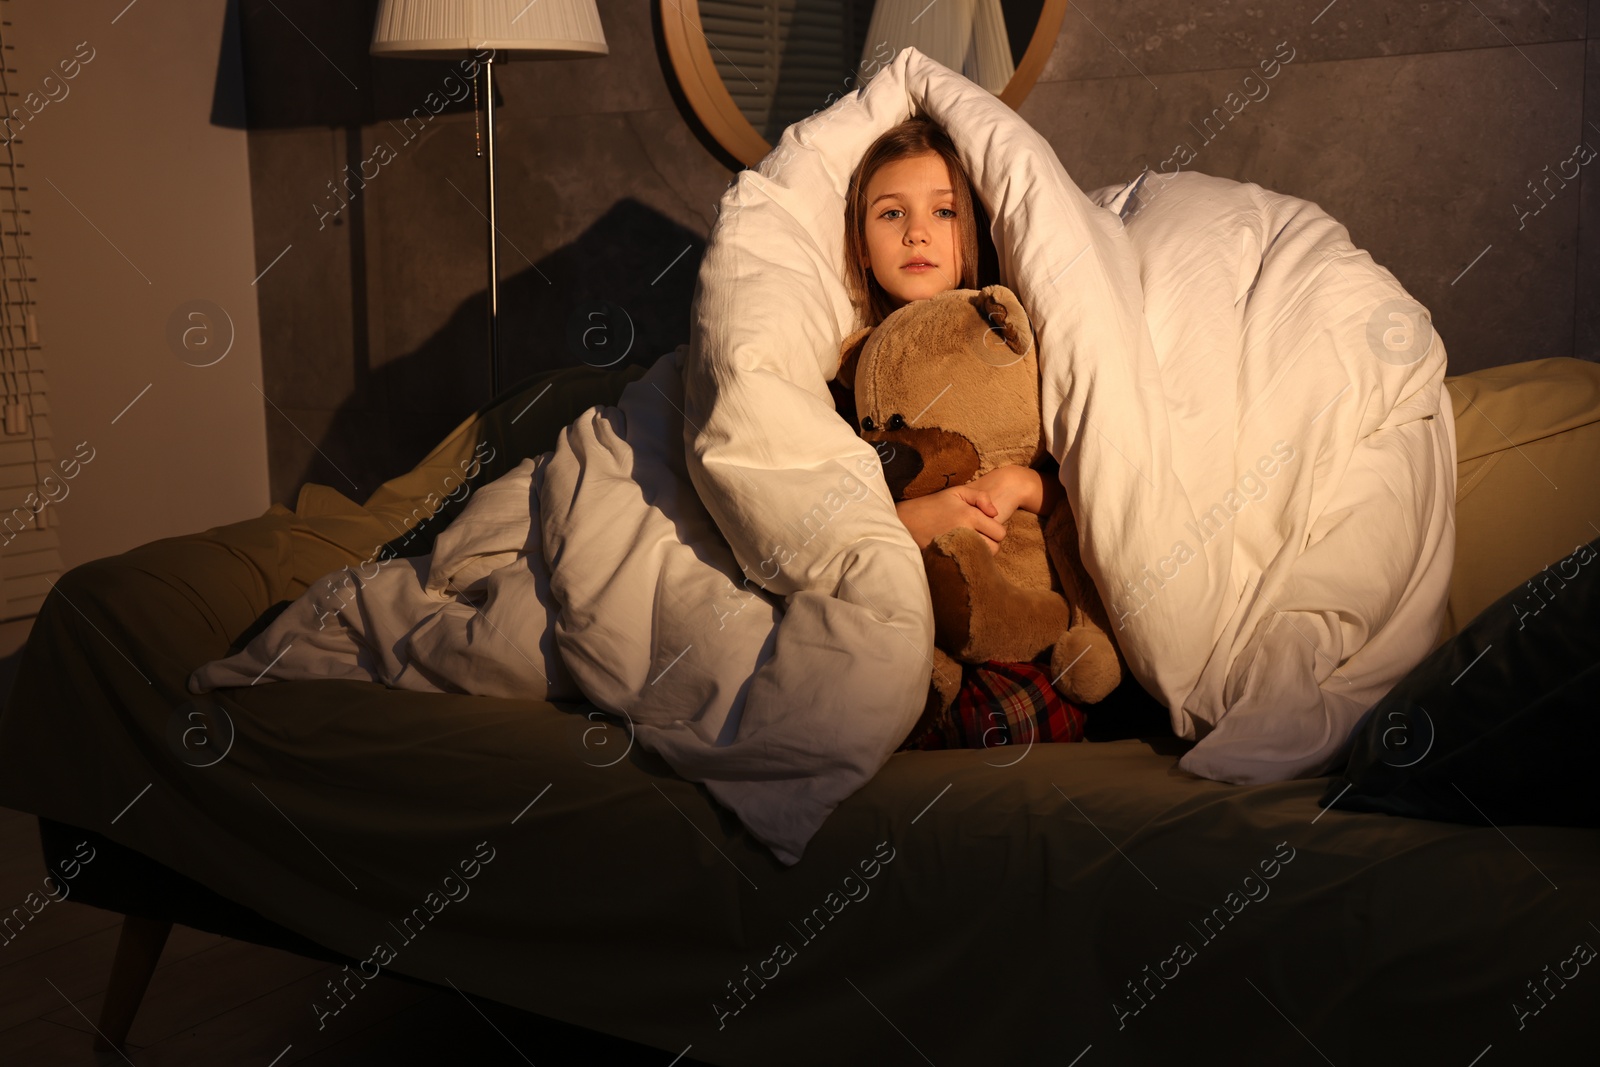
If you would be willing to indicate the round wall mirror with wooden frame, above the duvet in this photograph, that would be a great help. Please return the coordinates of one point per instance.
(751, 68)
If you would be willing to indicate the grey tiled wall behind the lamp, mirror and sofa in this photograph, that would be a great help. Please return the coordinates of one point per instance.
(1422, 127)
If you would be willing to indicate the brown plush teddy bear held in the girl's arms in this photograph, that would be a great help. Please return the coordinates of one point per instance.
(948, 390)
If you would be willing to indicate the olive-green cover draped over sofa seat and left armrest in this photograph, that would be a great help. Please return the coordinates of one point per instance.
(1022, 906)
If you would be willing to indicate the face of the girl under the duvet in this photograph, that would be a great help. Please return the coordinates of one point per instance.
(911, 230)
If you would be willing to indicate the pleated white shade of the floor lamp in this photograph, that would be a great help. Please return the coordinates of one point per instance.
(516, 30)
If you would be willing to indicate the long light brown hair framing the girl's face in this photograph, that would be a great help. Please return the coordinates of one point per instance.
(914, 137)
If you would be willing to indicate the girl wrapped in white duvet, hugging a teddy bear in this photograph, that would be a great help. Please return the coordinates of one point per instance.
(911, 231)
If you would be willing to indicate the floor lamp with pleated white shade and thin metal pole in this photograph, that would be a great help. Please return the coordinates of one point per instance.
(511, 30)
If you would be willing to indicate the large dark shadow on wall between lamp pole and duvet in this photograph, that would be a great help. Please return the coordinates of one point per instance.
(602, 302)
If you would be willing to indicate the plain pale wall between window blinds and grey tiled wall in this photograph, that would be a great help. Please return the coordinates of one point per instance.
(159, 217)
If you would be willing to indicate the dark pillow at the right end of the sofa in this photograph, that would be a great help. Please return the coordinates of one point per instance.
(1498, 725)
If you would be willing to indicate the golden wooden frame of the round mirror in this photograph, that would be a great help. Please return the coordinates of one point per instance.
(714, 106)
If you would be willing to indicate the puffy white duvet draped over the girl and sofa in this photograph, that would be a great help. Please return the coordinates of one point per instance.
(1247, 410)
